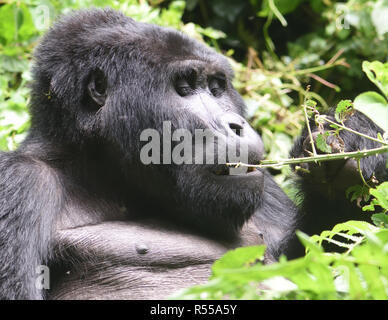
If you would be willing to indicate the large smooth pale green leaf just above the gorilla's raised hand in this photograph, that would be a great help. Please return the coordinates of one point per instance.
(374, 106)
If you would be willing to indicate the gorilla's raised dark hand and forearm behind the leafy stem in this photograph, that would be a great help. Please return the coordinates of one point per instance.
(324, 189)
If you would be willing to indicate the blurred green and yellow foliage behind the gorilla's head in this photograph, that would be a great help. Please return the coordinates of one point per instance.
(277, 48)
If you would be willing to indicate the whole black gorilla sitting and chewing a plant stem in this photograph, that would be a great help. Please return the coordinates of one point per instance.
(76, 189)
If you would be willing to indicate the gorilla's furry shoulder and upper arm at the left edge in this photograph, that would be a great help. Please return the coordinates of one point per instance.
(31, 198)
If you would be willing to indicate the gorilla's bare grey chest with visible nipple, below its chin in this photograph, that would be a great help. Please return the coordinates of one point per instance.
(134, 260)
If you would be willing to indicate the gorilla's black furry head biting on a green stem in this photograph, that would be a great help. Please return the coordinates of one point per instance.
(123, 77)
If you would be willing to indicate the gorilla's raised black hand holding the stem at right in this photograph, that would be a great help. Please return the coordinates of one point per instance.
(334, 177)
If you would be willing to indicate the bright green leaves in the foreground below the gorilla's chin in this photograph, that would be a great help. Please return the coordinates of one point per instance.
(361, 272)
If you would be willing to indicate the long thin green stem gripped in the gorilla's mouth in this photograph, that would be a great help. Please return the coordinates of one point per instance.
(317, 158)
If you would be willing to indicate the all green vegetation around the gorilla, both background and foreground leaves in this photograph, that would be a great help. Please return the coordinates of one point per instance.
(289, 57)
